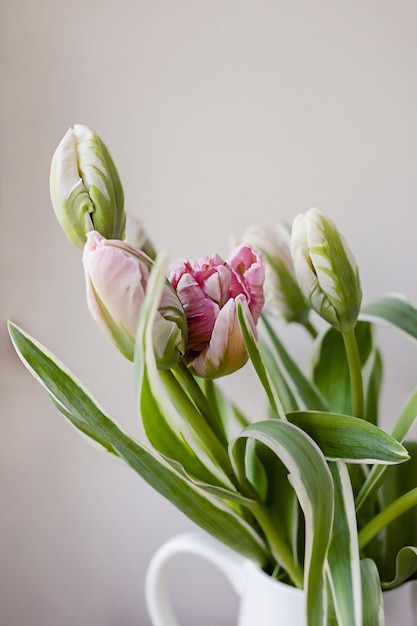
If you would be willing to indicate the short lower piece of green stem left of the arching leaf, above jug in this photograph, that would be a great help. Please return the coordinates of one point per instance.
(279, 547)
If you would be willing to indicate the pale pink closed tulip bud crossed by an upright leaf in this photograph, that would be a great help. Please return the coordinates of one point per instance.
(116, 279)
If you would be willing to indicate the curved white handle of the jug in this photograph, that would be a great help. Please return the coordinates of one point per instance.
(158, 601)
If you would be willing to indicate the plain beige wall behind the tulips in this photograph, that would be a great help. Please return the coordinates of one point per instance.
(218, 114)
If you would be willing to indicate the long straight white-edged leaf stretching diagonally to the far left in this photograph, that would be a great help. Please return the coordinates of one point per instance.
(78, 406)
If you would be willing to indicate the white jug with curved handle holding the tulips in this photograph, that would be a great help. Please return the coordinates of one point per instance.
(263, 601)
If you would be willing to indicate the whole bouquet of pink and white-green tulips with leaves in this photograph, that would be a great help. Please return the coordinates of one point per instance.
(314, 491)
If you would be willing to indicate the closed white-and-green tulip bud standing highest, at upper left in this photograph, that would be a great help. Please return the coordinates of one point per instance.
(85, 187)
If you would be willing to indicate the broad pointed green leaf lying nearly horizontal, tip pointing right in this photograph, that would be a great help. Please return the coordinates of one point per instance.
(342, 437)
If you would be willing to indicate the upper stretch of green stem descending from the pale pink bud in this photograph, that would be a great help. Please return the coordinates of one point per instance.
(201, 428)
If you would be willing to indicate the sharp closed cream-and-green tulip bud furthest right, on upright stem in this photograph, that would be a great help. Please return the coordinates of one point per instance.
(326, 270)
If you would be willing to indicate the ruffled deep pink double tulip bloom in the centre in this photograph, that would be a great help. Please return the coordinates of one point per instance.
(209, 293)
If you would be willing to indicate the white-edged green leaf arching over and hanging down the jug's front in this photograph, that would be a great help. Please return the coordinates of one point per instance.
(312, 482)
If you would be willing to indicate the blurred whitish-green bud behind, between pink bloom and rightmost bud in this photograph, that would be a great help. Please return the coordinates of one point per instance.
(282, 292)
